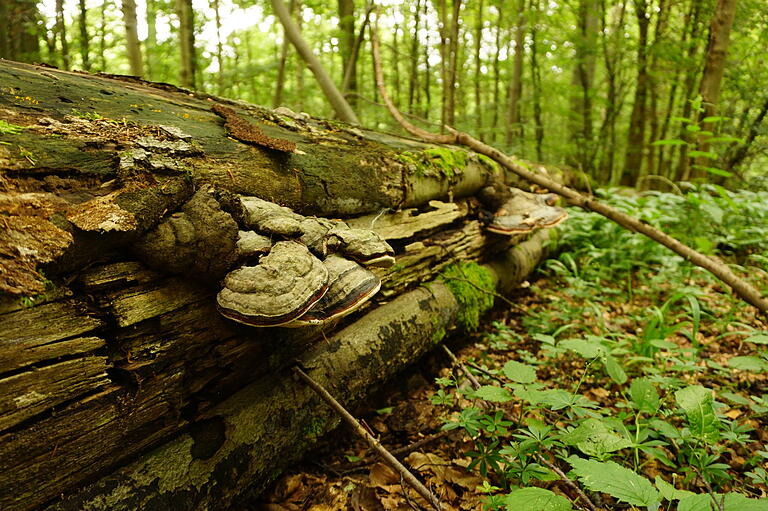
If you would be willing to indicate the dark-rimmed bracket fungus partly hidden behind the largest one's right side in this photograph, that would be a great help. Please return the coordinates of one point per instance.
(349, 286)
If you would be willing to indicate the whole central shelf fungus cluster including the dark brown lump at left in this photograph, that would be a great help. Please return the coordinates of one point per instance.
(290, 270)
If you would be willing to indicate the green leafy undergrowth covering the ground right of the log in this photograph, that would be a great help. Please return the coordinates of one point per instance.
(637, 374)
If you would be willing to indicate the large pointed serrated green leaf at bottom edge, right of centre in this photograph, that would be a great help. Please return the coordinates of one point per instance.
(615, 480)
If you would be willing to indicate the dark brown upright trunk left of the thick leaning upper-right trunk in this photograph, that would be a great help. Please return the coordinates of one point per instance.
(633, 160)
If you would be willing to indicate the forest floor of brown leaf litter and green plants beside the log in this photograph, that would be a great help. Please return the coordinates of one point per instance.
(643, 385)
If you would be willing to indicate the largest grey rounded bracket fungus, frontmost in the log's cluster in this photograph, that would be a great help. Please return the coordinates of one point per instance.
(281, 288)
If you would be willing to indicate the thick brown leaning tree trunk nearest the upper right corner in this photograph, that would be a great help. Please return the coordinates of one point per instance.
(714, 68)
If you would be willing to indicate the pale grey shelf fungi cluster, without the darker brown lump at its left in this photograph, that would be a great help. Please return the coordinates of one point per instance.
(299, 271)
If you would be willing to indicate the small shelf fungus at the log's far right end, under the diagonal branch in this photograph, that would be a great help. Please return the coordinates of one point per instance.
(514, 211)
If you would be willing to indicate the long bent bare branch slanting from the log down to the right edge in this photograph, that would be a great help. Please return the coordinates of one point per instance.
(742, 288)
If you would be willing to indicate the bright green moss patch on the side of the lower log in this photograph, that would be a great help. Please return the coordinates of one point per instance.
(473, 287)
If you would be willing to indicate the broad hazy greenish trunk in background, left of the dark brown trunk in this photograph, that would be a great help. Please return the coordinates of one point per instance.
(581, 95)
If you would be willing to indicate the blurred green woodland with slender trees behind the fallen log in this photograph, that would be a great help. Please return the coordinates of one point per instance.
(634, 92)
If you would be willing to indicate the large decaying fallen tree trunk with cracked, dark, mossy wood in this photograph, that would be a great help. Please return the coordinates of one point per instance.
(123, 387)
